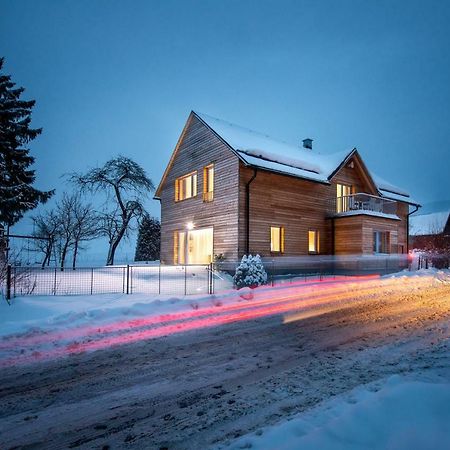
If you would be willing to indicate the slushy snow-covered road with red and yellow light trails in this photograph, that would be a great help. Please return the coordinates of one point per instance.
(201, 386)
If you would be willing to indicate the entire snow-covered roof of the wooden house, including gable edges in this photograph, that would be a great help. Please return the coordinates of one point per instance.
(259, 150)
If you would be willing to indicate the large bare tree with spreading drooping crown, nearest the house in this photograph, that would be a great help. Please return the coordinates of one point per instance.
(125, 183)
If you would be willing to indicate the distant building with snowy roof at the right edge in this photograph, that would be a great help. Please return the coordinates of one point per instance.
(430, 231)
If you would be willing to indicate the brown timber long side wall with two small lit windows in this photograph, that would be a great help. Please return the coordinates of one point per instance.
(278, 200)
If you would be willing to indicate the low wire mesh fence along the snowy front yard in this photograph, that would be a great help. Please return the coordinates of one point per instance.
(188, 279)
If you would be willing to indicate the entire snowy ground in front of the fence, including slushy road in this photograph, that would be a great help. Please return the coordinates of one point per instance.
(202, 372)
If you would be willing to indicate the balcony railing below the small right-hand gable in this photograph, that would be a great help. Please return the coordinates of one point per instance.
(362, 202)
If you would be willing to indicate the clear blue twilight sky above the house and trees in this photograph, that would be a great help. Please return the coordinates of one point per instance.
(114, 77)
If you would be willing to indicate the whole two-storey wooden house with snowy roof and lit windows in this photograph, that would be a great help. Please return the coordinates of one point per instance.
(231, 191)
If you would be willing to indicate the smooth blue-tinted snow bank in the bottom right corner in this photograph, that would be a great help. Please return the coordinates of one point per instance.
(391, 414)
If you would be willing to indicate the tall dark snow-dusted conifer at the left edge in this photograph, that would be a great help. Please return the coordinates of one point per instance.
(17, 194)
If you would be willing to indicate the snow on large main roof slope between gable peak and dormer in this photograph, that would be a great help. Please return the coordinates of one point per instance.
(260, 150)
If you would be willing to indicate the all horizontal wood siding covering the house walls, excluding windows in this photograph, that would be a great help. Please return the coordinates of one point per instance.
(295, 204)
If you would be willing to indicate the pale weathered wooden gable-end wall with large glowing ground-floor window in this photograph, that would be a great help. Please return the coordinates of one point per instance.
(199, 147)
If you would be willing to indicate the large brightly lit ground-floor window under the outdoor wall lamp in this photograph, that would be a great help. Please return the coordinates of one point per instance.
(193, 246)
